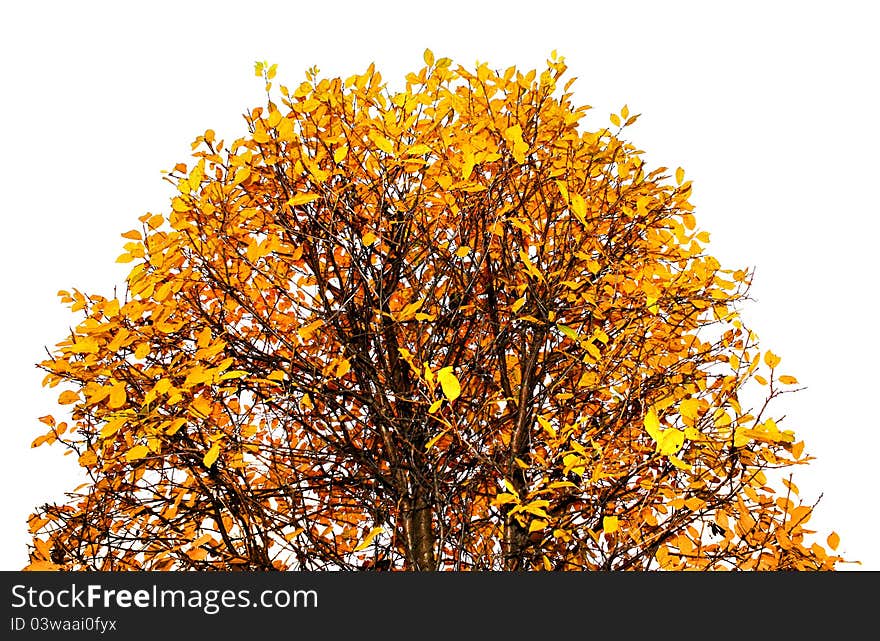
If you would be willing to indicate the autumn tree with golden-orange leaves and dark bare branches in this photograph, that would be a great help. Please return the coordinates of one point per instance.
(444, 328)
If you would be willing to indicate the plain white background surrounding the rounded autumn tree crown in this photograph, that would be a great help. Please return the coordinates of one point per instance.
(771, 108)
